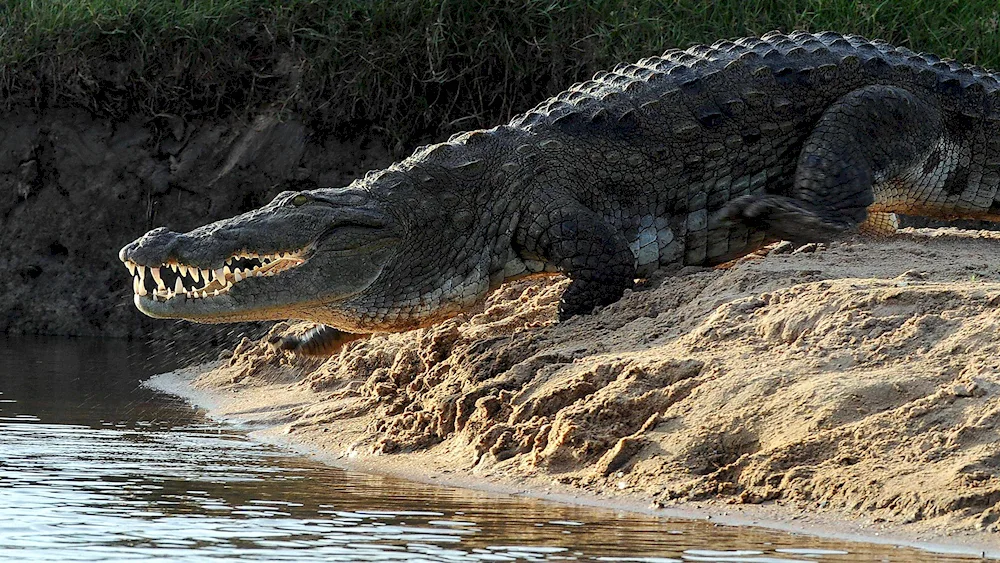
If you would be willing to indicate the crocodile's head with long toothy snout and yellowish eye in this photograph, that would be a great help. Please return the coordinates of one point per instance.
(297, 257)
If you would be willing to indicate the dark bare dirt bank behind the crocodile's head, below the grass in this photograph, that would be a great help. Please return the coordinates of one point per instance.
(74, 188)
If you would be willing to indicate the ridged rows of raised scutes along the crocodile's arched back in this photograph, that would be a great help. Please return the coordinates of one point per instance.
(612, 96)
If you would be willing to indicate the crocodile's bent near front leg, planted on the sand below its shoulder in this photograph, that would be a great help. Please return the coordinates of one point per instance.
(584, 247)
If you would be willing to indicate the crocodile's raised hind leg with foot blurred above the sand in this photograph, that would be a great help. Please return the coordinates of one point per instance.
(867, 137)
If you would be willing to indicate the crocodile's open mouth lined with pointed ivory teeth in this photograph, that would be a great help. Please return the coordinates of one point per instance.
(173, 280)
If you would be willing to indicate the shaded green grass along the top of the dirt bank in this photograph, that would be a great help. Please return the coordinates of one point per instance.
(406, 67)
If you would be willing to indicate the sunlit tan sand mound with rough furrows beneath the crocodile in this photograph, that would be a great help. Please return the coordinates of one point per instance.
(855, 386)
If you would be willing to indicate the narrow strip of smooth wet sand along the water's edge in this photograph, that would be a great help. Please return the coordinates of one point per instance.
(777, 518)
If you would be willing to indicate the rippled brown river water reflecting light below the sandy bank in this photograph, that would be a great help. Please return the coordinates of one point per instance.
(94, 467)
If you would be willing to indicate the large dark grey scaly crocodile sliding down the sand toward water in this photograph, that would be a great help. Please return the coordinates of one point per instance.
(695, 157)
